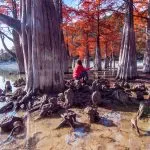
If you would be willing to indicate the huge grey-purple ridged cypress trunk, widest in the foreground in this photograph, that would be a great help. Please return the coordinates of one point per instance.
(41, 40)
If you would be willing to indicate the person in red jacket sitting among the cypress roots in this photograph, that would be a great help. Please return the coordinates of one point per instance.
(80, 72)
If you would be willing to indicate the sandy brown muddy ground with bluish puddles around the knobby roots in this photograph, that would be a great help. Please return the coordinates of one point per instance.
(42, 135)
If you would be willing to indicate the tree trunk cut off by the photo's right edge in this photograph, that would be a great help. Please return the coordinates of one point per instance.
(146, 62)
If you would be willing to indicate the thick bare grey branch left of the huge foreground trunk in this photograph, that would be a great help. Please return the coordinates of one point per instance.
(11, 22)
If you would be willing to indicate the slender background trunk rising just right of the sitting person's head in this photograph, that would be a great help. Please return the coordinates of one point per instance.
(87, 55)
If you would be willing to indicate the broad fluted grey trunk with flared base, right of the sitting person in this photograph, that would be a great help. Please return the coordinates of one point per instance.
(127, 68)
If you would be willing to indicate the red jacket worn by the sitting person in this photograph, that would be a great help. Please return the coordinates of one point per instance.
(78, 70)
